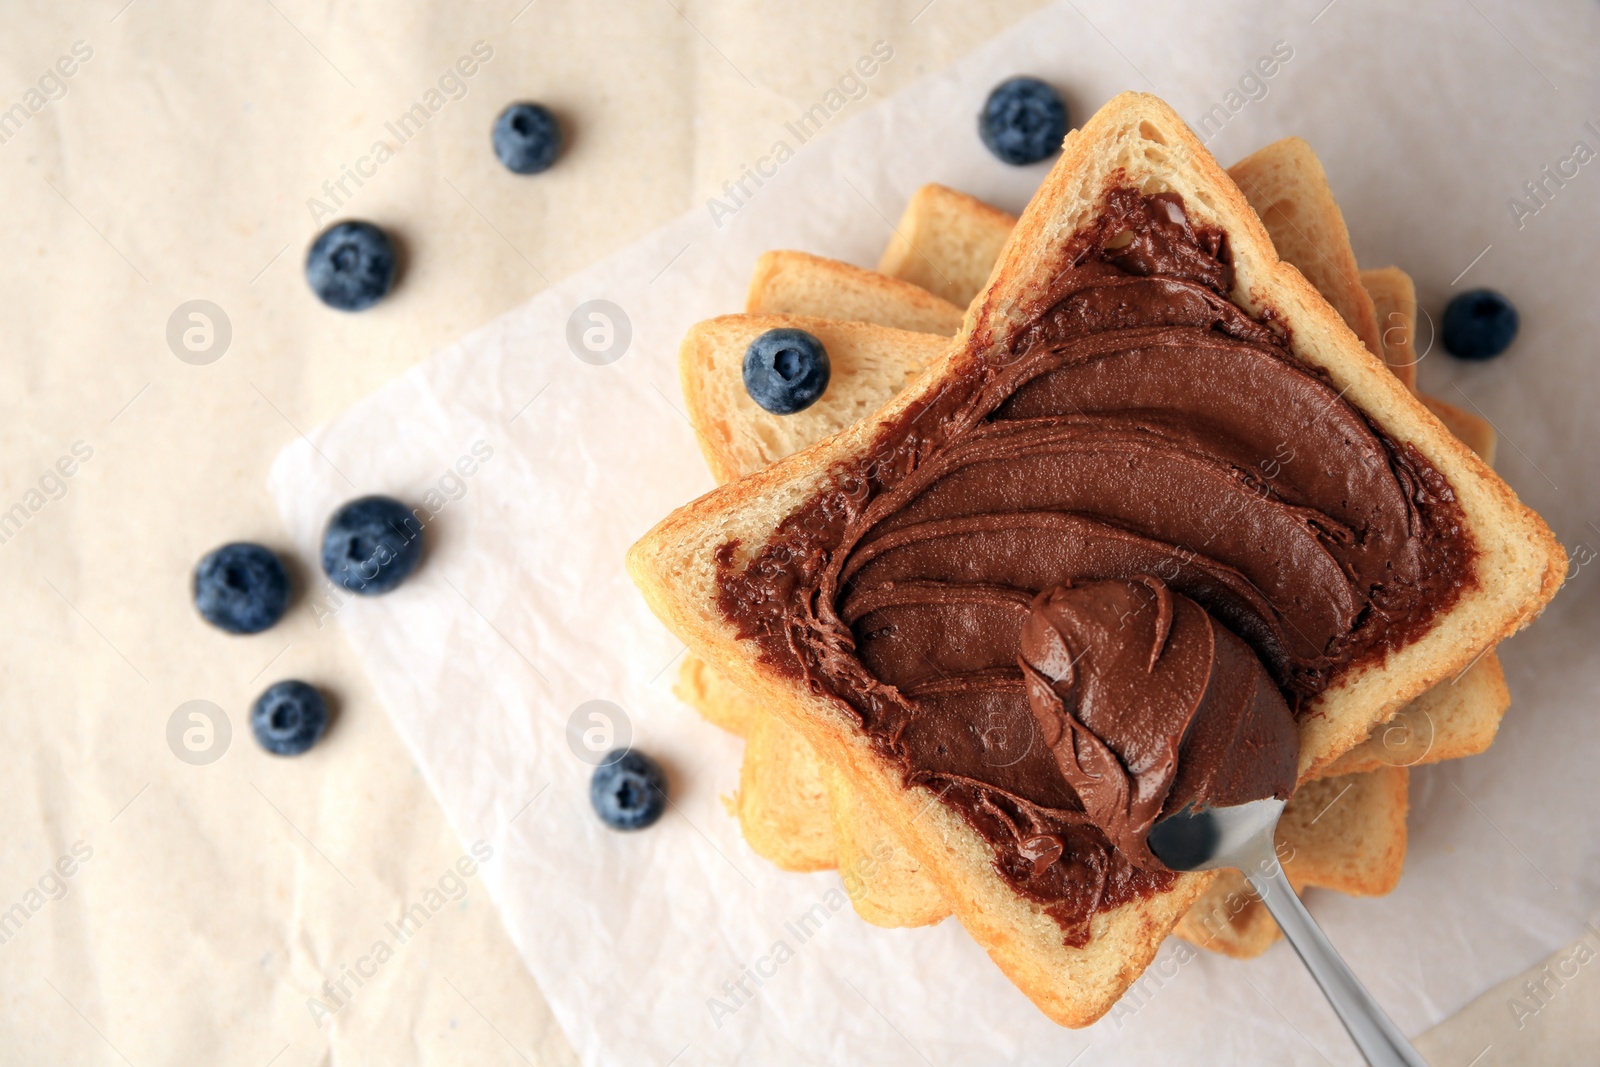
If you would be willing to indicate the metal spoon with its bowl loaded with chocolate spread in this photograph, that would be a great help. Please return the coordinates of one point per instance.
(1183, 753)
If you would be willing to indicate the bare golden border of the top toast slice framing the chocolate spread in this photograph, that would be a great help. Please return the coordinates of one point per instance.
(1135, 142)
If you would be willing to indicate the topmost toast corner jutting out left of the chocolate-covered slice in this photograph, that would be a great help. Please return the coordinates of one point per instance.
(948, 244)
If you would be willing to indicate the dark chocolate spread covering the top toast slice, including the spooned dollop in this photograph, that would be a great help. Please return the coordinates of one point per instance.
(1143, 428)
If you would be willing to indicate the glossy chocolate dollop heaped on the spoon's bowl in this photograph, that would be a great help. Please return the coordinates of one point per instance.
(1150, 706)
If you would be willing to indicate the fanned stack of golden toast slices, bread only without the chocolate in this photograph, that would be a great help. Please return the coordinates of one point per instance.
(946, 287)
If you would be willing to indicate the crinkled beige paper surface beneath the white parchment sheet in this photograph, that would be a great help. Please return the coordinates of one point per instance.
(177, 167)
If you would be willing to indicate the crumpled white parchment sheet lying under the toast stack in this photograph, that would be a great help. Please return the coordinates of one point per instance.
(1428, 122)
